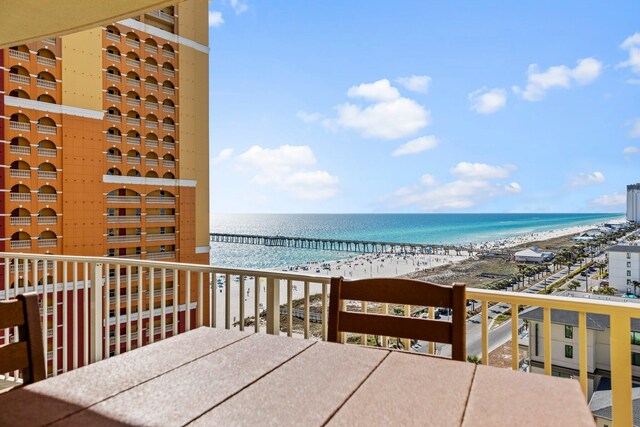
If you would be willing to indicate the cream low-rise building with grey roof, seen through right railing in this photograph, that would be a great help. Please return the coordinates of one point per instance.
(566, 357)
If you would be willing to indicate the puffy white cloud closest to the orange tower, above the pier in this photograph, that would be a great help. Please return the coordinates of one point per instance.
(289, 169)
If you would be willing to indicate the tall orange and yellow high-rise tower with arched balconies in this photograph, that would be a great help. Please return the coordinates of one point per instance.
(105, 151)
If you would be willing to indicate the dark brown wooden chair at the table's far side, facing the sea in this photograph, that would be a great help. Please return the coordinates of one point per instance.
(400, 291)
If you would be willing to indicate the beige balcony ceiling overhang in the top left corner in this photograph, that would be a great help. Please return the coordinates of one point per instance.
(22, 21)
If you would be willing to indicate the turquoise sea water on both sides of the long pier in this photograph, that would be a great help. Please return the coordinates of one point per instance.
(402, 228)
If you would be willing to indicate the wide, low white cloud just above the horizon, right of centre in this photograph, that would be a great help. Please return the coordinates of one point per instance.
(474, 184)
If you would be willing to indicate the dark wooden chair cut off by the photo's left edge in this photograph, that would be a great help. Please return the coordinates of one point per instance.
(26, 354)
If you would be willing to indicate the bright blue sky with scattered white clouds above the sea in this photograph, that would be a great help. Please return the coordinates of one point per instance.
(423, 106)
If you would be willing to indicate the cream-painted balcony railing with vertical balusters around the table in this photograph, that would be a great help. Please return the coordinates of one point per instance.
(197, 292)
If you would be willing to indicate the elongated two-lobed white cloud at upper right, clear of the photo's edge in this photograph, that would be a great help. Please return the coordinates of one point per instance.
(538, 82)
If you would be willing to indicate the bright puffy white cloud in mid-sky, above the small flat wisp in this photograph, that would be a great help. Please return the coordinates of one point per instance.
(391, 116)
